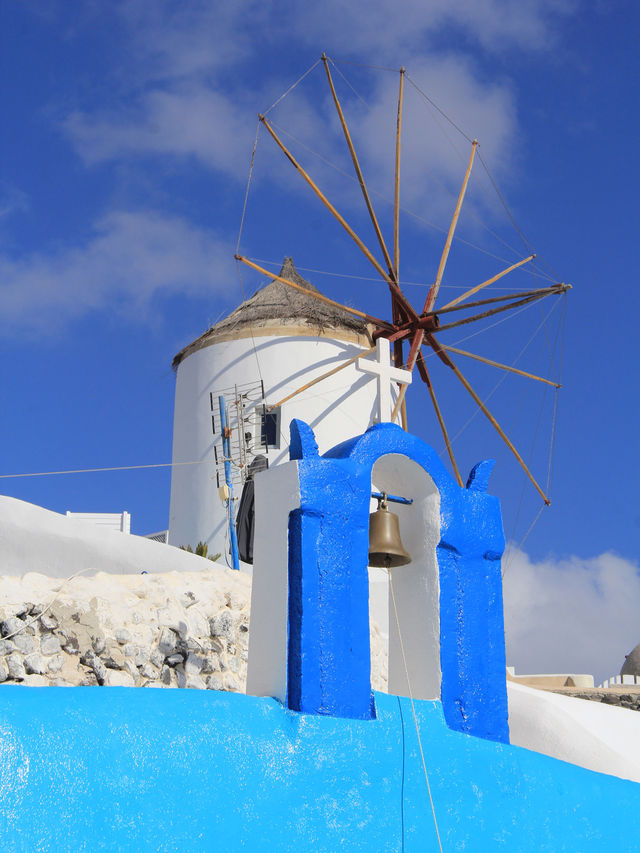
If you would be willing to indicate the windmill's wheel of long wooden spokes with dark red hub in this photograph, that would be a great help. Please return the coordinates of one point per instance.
(419, 328)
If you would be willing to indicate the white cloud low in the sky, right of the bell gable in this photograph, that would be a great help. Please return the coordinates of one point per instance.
(573, 615)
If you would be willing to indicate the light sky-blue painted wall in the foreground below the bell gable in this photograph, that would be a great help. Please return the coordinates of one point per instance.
(90, 769)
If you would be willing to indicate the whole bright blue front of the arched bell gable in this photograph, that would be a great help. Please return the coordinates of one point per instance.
(328, 660)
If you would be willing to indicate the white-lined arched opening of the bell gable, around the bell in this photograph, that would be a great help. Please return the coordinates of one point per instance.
(416, 616)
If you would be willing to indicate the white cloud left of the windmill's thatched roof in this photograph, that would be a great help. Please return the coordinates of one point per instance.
(131, 259)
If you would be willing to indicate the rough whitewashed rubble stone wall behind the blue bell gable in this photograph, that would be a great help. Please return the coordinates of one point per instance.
(175, 629)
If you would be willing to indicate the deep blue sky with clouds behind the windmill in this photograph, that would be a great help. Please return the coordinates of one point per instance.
(127, 133)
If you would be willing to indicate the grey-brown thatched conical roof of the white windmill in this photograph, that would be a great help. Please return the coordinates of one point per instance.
(279, 309)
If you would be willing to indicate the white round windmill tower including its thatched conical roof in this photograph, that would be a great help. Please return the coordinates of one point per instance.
(279, 340)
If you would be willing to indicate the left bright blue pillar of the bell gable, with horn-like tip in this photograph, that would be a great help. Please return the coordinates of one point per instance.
(329, 669)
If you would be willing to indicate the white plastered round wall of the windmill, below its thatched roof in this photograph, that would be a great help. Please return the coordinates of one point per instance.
(337, 408)
